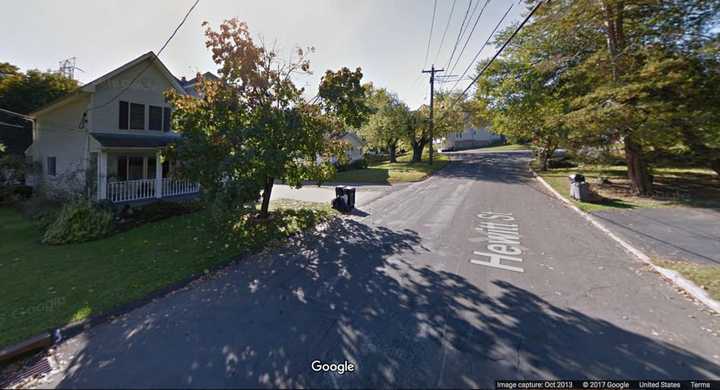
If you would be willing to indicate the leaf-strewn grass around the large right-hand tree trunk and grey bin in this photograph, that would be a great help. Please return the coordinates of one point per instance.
(694, 187)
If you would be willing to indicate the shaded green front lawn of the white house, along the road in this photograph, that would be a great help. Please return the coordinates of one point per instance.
(49, 286)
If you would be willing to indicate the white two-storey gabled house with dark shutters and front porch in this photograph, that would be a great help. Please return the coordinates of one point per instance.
(106, 138)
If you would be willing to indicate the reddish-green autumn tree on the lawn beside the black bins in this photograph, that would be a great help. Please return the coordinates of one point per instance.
(254, 126)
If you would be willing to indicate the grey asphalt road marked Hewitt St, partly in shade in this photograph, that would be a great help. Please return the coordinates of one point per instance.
(399, 291)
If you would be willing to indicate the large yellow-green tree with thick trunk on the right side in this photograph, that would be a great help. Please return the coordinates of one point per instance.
(585, 74)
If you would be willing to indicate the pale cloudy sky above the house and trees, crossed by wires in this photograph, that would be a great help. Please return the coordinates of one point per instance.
(386, 38)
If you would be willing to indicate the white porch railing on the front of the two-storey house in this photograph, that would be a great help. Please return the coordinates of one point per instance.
(130, 190)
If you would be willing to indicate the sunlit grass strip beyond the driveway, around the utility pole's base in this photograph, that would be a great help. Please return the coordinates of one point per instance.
(390, 173)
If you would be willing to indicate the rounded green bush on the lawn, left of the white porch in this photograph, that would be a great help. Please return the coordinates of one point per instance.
(79, 221)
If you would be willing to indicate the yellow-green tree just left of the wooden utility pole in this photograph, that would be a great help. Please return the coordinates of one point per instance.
(383, 128)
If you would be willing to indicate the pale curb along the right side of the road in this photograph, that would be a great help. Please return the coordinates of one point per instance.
(673, 276)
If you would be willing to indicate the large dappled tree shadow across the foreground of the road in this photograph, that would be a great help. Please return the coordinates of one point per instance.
(364, 294)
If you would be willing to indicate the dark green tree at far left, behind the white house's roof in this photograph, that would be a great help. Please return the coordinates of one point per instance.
(26, 92)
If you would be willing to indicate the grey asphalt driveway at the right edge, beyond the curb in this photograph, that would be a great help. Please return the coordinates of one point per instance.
(677, 233)
